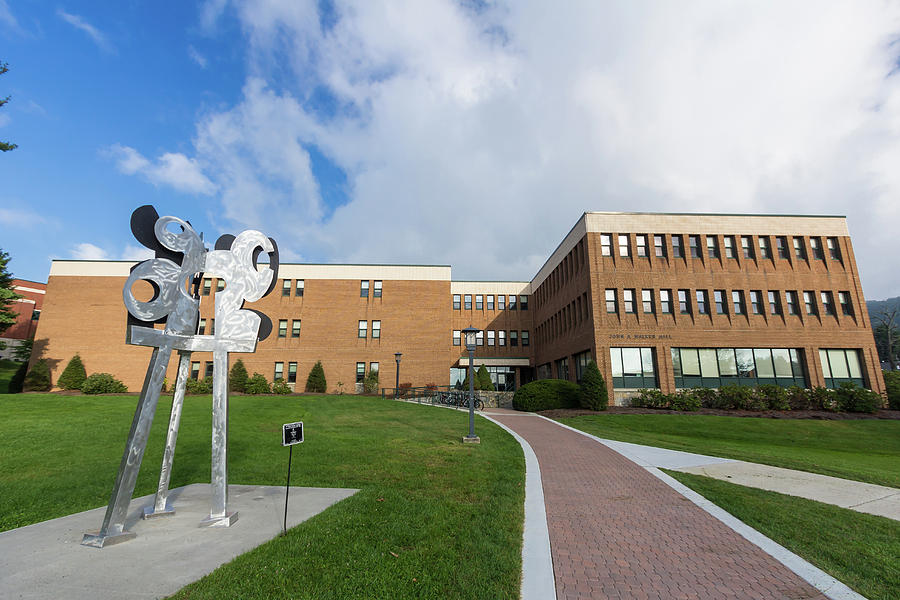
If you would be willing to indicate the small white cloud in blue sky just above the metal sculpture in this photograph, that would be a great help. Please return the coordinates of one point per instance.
(172, 169)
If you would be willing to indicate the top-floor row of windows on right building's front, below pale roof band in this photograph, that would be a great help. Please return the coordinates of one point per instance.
(697, 246)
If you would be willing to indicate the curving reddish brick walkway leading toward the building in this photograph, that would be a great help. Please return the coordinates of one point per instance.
(618, 532)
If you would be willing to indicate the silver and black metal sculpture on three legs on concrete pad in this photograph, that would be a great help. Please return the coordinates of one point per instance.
(175, 275)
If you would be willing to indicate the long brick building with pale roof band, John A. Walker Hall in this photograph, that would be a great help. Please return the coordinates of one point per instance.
(657, 300)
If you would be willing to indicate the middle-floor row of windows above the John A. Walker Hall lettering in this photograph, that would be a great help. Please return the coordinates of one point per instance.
(723, 303)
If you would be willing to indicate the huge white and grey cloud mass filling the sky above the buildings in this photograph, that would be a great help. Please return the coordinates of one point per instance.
(503, 123)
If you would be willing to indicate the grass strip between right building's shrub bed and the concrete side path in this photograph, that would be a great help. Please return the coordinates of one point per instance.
(863, 450)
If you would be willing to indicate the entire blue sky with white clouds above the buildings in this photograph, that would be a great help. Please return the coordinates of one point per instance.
(470, 133)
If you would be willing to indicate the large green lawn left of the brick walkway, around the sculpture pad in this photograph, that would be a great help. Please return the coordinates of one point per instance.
(427, 505)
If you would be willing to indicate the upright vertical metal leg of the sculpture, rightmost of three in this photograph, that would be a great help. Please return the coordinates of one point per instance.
(218, 506)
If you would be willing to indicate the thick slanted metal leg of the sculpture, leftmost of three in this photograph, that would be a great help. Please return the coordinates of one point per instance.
(113, 528)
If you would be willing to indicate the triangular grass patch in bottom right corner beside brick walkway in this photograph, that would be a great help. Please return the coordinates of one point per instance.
(862, 551)
